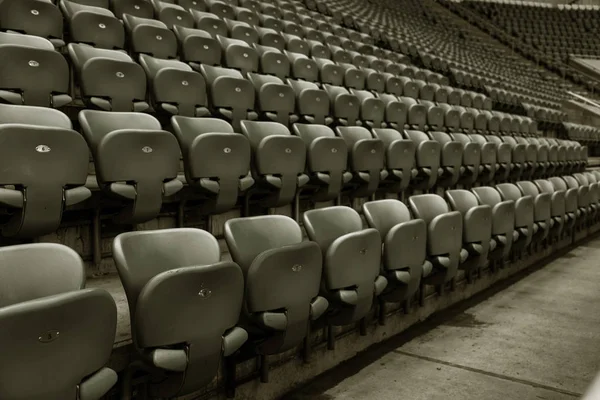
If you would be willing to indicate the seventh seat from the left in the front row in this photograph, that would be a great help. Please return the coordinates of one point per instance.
(477, 229)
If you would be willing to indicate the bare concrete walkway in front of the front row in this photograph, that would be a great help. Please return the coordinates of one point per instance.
(539, 338)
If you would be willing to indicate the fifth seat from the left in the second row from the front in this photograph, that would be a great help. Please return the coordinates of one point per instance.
(326, 160)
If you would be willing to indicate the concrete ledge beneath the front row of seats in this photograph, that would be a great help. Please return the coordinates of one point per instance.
(288, 370)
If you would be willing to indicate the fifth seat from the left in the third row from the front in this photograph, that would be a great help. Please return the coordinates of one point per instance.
(276, 101)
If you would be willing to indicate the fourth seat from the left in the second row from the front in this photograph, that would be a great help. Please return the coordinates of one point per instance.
(279, 161)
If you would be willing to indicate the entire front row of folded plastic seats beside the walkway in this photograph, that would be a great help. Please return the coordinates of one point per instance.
(189, 308)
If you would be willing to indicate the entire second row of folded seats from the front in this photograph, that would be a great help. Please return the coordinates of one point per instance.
(137, 162)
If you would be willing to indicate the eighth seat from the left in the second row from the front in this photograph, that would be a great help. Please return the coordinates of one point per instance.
(428, 157)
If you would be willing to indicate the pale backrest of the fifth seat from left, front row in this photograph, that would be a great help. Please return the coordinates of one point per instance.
(383, 215)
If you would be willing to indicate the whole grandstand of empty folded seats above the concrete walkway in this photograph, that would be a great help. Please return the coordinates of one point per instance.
(210, 198)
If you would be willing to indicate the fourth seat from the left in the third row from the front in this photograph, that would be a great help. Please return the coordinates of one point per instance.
(231, 95)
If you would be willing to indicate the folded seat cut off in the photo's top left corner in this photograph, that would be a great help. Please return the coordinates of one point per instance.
(33, 17)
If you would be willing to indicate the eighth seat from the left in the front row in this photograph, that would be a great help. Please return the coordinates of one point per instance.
(503, 223)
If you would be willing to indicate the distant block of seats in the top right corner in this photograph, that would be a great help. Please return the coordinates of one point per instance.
(546, 33)
